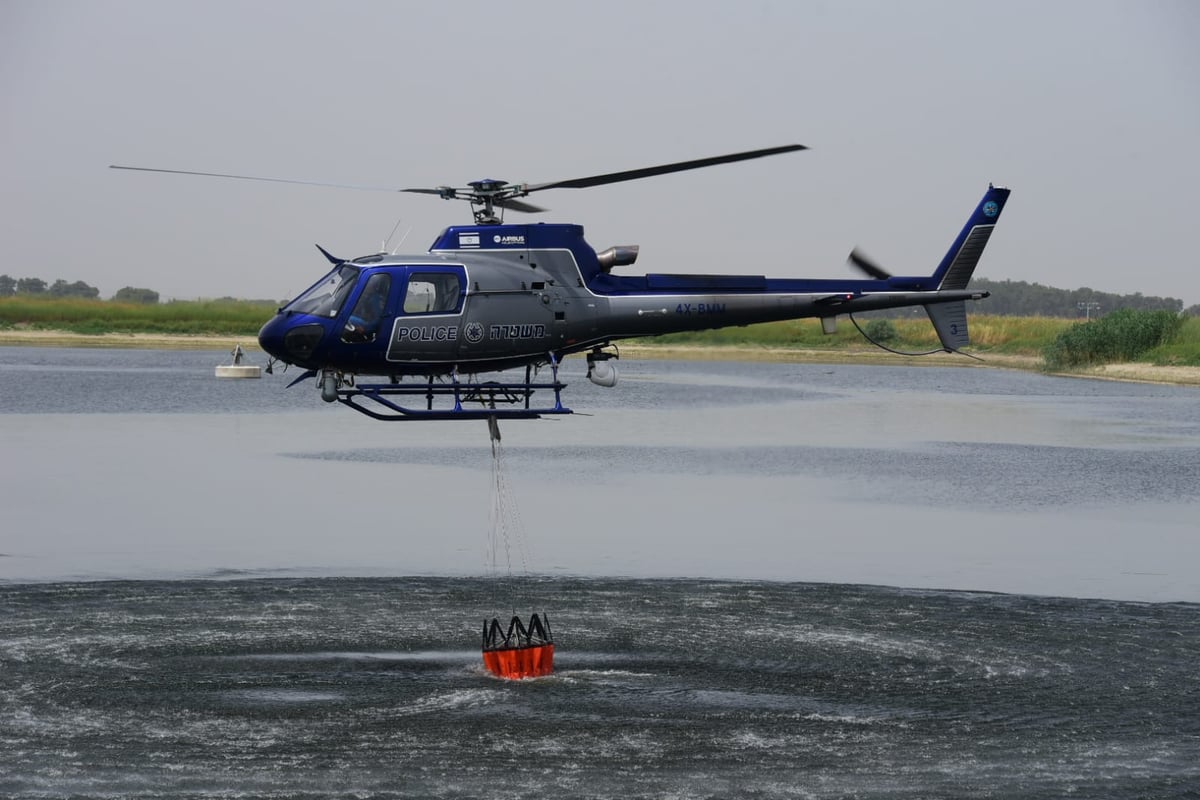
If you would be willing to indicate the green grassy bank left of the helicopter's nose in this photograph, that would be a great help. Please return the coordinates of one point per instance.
(83, 316)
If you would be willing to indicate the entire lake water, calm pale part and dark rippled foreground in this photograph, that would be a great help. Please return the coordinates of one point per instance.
(776, 581)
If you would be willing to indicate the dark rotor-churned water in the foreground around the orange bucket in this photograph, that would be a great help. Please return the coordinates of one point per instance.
(374, 688)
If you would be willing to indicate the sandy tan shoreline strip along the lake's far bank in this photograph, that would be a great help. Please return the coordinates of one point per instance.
(1129, 372)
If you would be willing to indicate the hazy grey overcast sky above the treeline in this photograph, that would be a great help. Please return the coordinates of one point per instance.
(1090, 112)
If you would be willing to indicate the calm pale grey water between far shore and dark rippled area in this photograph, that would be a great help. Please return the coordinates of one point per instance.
(139, 464)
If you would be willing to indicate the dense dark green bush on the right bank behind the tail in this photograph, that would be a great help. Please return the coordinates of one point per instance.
(1124, 335)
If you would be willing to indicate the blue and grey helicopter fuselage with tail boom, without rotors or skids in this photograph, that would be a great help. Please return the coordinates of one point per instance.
(495, 297)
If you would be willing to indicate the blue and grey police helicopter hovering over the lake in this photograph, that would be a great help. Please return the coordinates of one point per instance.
(411, 338)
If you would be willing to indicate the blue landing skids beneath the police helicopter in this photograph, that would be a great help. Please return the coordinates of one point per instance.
(461, 401)
